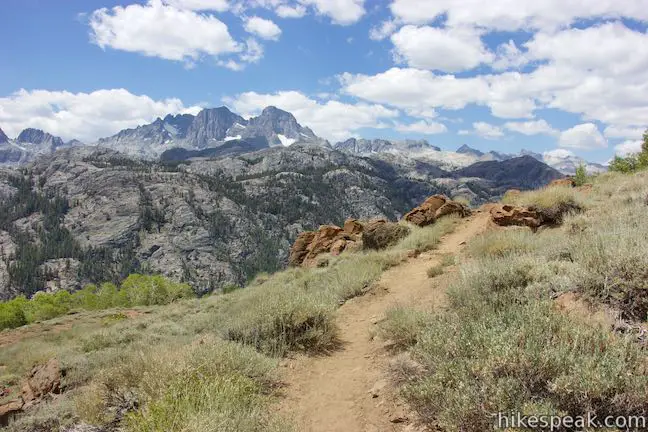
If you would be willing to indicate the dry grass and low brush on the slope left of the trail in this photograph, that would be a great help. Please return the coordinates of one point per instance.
(151, 372)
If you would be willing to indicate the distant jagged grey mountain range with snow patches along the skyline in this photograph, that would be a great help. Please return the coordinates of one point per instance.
(218, 132)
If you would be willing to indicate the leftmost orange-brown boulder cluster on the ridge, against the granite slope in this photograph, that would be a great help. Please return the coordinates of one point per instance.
(327, 239)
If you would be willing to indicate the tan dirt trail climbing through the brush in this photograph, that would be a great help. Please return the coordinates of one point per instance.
(348, 391)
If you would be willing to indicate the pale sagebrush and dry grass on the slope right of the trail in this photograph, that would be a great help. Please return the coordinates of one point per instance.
(503, 346)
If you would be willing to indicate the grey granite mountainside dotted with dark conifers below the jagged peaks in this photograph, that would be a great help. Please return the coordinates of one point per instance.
(209, 222)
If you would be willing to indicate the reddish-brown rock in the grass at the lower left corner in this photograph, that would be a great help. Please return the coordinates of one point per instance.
(44, 380)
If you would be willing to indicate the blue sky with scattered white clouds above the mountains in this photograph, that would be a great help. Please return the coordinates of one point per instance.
(551, 76)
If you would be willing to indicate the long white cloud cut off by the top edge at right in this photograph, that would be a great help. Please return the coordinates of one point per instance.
(510, 15)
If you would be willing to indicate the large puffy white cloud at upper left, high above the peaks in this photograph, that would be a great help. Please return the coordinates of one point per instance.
(159, 30)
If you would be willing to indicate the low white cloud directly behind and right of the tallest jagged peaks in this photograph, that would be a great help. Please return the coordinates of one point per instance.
(333, 120)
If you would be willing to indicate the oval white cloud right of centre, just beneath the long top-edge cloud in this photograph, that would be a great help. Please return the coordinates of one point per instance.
(448, 50)
